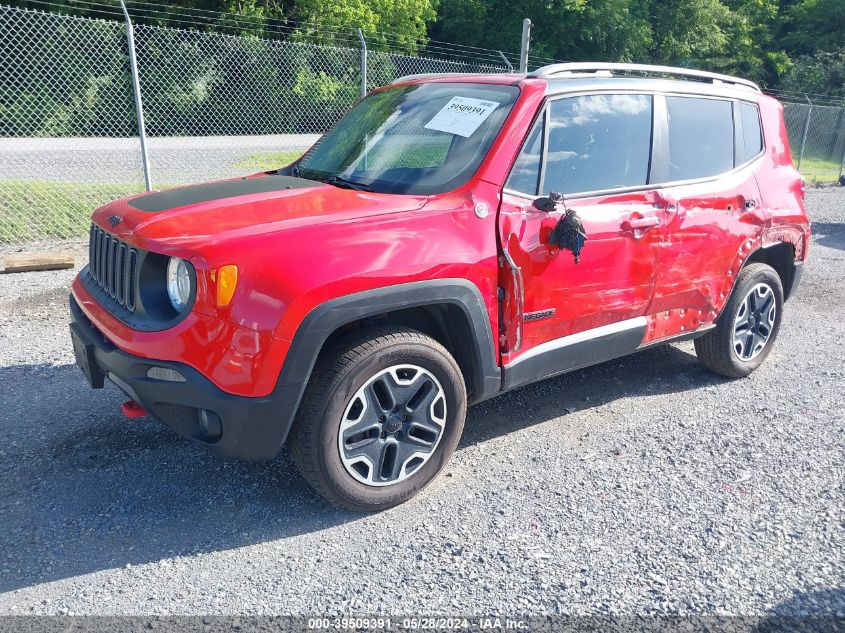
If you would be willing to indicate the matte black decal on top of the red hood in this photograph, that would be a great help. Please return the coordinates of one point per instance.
(173, 198)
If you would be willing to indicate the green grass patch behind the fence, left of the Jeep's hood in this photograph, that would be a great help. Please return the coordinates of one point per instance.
(32, 210)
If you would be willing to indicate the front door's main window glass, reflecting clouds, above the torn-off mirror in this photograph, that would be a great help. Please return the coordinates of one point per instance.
(598, 142)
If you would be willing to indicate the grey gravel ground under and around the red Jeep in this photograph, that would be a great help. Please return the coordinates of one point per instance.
(644, 485)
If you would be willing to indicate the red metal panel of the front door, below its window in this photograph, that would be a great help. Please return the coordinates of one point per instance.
(613, 281)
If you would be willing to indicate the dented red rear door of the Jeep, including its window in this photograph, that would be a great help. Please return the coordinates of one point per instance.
(708, 163)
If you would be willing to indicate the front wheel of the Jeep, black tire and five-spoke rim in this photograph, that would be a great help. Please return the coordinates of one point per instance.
(351, 388)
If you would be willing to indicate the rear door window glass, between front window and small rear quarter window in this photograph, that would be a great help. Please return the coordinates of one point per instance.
(701, 137)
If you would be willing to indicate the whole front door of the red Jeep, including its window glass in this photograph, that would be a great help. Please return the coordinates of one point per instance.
(596, 150)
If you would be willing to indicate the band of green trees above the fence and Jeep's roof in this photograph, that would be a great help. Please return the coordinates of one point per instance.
(780, 43)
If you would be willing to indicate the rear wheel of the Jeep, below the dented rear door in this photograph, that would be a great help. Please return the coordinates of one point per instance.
(736, 358)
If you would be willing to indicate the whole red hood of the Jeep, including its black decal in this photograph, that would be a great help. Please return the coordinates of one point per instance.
(213, 212)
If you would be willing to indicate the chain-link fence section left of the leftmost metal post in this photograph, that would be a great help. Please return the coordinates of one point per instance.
(66, 121)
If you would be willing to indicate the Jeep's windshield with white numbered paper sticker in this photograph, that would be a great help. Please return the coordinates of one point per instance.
(416, 139)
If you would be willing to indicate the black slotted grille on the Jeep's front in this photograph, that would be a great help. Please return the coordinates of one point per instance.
(113, 265)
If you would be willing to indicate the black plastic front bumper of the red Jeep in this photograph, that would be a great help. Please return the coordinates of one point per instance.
(252, 428)
